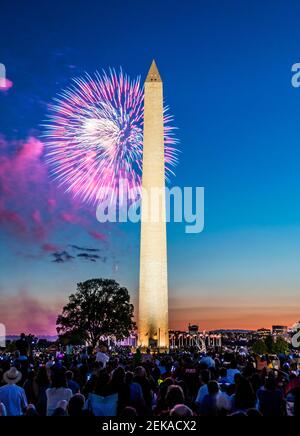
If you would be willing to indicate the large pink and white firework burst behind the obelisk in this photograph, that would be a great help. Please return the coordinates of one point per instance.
(94, 136)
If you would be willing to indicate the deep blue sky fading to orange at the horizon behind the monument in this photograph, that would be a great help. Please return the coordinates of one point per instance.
(226, 67)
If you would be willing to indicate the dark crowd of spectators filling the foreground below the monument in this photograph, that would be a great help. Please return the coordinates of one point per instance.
(125, 384)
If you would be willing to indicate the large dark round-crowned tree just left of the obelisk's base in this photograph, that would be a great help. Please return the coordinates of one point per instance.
(100, 307)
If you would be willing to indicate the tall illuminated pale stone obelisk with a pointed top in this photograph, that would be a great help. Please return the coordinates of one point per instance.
(153, 291)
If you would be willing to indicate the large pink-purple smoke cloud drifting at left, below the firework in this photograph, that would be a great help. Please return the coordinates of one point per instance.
(31, 206)
